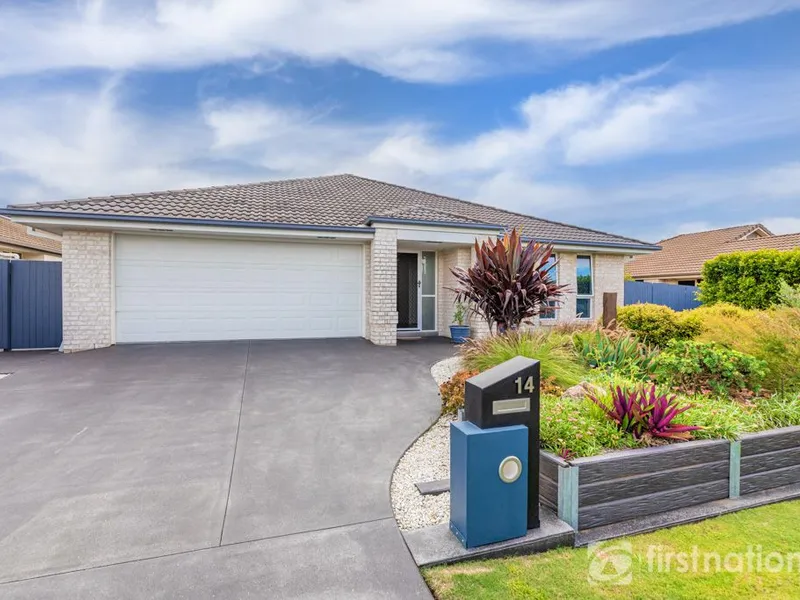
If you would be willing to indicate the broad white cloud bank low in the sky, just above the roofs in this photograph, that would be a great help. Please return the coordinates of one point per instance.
(56, 144)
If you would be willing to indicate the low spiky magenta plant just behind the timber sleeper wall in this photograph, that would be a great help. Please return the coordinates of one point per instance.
(644, 413)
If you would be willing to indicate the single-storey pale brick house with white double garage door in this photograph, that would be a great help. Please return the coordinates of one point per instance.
(334, 256)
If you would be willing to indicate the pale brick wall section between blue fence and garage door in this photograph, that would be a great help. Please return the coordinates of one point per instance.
(87, 290)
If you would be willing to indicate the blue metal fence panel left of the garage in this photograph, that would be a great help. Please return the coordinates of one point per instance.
(30, 304)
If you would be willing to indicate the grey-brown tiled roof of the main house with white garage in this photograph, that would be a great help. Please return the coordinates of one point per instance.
(335, 200)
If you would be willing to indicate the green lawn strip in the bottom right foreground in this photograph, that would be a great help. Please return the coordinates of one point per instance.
(565, 573)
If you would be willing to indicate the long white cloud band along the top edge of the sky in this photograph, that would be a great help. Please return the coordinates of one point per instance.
(414, 39)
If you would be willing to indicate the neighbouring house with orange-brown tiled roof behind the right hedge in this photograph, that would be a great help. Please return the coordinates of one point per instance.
(682, 257)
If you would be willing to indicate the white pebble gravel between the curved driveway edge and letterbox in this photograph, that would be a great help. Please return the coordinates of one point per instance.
(427, 460)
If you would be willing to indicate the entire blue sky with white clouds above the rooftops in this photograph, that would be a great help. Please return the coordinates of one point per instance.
(640, 117)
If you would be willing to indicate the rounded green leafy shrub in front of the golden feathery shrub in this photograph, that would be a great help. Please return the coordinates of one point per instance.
(703, 367)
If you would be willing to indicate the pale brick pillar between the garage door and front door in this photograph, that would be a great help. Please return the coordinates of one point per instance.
(382, 318)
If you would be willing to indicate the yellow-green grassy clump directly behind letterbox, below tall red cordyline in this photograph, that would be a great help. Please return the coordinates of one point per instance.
(553, 351)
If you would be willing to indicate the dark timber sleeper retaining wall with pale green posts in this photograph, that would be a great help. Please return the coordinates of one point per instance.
(619, 486)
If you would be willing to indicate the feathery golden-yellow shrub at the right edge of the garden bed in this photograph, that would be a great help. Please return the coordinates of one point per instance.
(772, 336)
